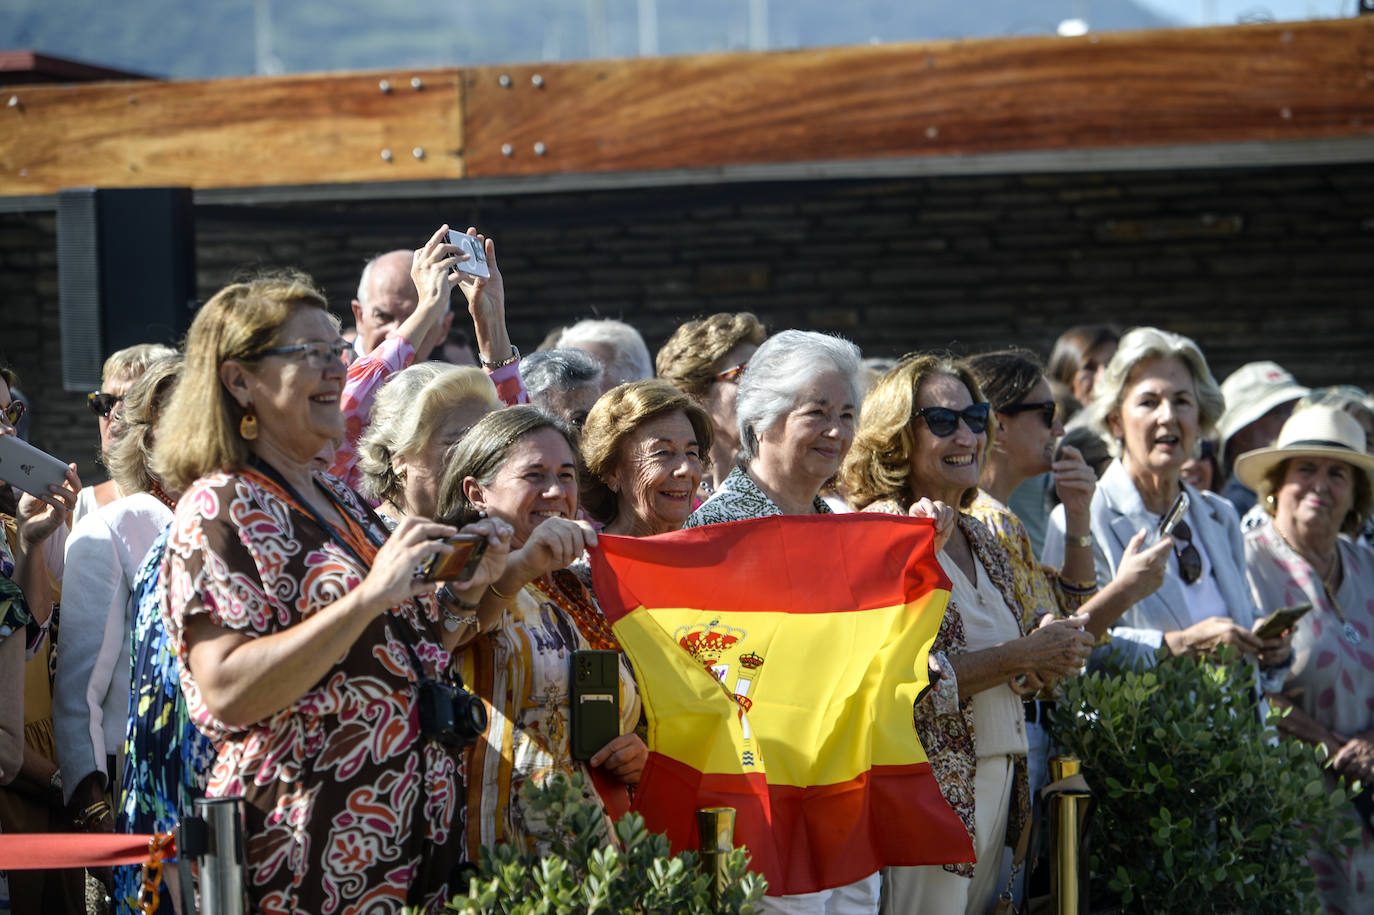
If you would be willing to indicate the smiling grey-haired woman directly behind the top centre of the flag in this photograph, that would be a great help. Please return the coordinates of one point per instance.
(798, 406)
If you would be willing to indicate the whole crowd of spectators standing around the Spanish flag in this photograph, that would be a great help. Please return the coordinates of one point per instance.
(241, 609)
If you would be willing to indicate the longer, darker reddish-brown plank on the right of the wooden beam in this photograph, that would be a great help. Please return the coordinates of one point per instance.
(953, 98)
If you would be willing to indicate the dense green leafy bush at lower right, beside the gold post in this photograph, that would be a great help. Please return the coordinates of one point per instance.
(1202, 809)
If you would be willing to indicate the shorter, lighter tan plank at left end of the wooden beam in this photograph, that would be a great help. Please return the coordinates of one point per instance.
(304, 130)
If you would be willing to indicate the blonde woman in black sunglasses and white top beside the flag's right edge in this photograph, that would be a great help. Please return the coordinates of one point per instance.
(924, 435)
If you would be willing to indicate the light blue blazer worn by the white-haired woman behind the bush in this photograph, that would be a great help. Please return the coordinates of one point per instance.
(1118, 515)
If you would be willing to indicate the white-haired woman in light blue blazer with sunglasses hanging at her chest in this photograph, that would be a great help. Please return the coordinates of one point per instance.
(1156, 398)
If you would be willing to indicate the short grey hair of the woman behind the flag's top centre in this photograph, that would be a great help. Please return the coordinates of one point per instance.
(777, 374)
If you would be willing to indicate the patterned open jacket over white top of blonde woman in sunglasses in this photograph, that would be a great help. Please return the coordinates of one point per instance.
(945, 723)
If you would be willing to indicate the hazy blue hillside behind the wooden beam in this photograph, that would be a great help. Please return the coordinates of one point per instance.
(234, 38)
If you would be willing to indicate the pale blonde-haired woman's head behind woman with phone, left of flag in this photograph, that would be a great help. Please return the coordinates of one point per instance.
(418, 417)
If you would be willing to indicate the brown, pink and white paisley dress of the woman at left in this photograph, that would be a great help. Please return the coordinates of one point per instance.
(348, 807)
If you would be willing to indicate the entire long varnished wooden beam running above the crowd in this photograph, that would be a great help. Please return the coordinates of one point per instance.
(1284, 84)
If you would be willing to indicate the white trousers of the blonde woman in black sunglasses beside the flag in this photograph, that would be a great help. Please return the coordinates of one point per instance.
(934, 891)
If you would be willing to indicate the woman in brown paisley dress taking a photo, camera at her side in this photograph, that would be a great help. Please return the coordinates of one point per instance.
(302, 631)
